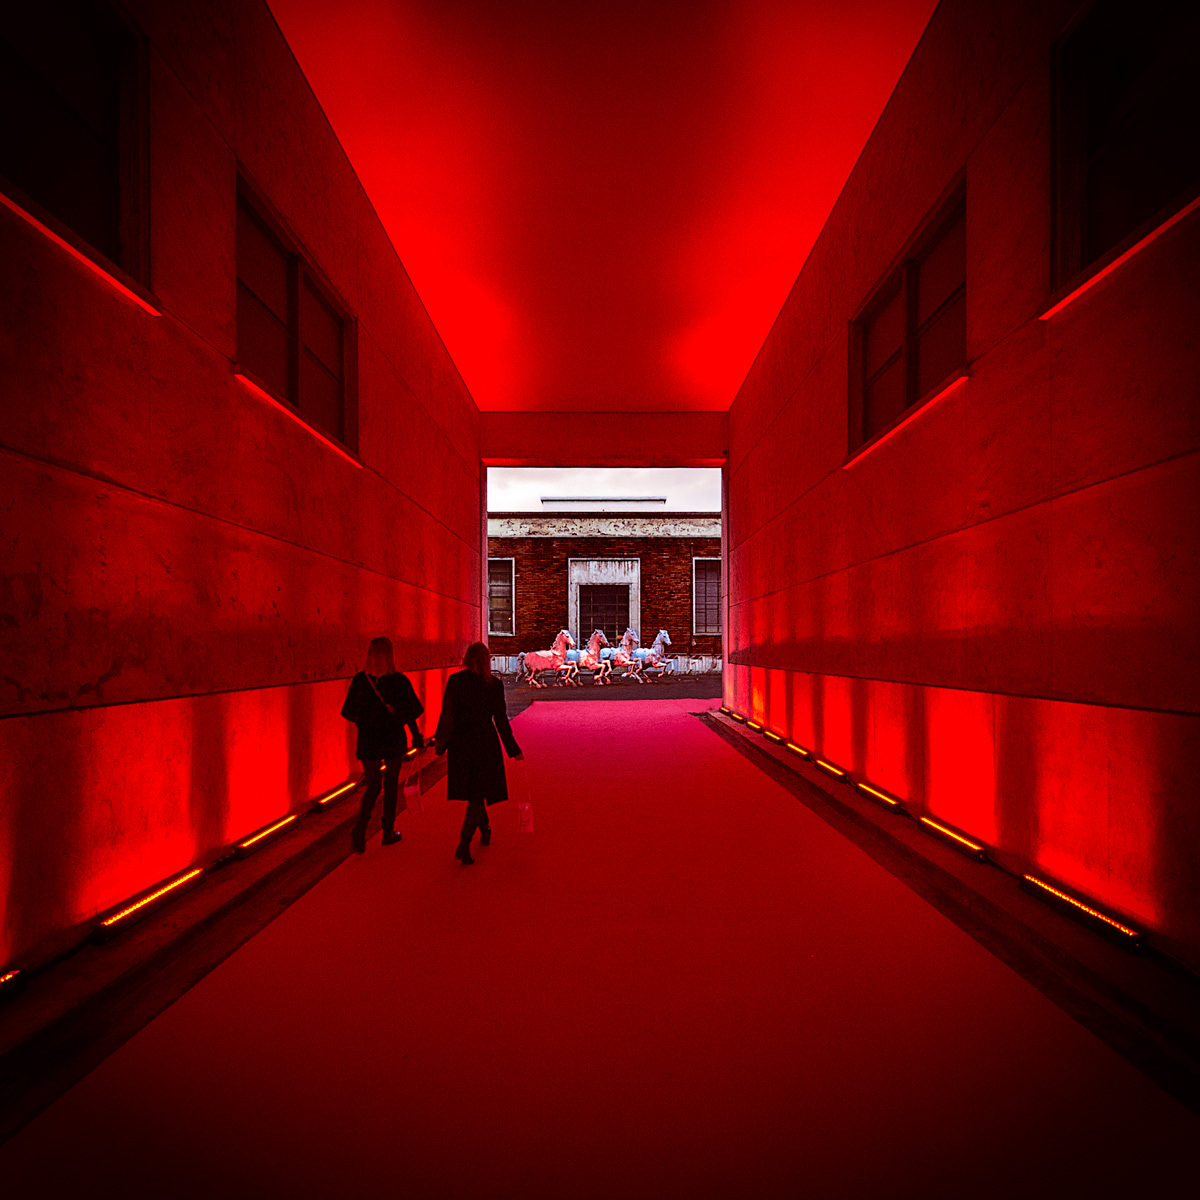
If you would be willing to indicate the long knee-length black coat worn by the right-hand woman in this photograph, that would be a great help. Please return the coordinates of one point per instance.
(472, 717)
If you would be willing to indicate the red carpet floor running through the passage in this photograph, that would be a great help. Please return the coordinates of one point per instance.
(681, 985)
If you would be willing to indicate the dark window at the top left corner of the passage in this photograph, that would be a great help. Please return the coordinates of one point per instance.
(73, 136)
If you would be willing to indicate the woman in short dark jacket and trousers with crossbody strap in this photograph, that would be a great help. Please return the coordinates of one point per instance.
(381, 703)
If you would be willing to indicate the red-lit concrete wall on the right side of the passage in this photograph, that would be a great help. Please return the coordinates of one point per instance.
(994, 614)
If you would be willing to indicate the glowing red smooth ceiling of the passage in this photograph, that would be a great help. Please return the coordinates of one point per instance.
(603, 207)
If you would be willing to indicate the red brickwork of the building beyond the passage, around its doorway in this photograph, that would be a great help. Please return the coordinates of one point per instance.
(542, 598)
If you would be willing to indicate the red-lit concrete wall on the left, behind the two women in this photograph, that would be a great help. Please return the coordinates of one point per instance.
(190, 577)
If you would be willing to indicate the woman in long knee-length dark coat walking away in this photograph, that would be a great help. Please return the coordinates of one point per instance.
(472, 717)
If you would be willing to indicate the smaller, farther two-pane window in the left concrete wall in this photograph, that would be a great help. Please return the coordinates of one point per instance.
(290, 337)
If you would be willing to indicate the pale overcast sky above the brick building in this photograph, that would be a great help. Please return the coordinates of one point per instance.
(687, 489)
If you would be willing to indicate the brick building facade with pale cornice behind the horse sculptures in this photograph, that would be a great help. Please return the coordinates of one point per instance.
(604, 571)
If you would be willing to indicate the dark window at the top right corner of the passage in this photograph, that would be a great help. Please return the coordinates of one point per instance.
(1129, 107)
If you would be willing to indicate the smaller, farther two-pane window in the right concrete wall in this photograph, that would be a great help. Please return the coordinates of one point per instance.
(909, 346)
